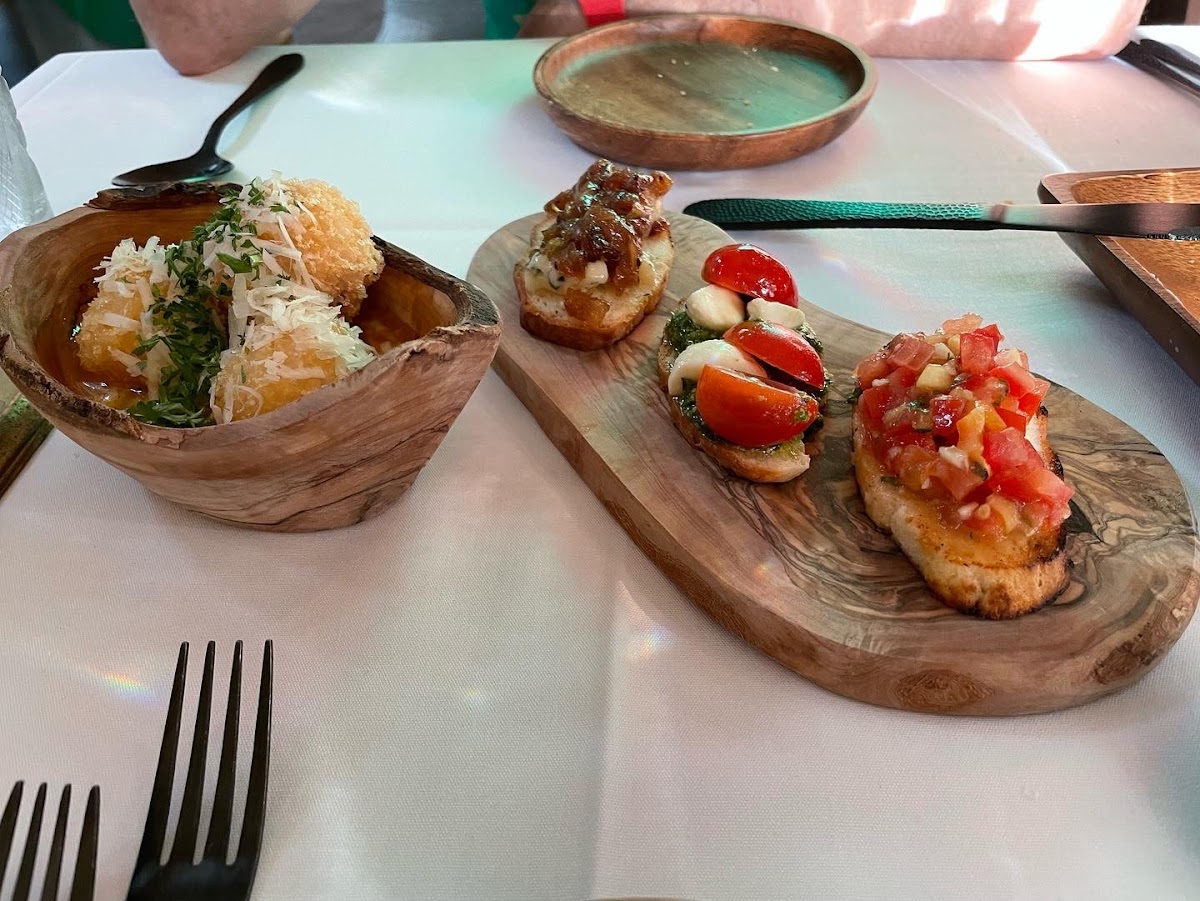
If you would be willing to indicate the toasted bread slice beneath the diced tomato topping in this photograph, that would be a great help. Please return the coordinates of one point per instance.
(997, 580)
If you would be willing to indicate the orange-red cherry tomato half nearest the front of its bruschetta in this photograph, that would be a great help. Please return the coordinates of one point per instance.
(752, 412)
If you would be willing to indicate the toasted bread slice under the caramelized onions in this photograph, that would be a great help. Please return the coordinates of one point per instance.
(598, 316)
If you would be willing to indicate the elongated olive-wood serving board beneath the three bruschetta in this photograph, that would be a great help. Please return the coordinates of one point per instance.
(801, 573)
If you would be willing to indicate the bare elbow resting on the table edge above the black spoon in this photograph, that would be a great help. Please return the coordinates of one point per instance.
(197, 37)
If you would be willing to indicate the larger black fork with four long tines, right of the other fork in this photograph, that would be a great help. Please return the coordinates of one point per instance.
(213, 878)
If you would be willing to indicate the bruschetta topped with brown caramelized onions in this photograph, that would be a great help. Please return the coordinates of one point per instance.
(599, 261)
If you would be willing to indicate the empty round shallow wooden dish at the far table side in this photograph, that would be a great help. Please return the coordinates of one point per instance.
(704, 92)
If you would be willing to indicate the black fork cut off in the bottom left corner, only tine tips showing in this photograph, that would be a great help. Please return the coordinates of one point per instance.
(85, 881)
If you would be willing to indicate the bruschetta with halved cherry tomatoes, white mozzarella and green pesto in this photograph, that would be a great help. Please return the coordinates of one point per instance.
(742, 370)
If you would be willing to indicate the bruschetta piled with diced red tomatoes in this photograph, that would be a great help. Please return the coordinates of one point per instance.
(953, 461)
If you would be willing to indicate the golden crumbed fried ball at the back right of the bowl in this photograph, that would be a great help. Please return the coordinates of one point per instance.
(339, 255)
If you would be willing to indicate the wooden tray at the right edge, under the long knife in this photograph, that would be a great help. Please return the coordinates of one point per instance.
(1156, 281)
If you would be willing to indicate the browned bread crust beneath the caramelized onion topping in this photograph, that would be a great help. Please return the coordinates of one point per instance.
(544, 313)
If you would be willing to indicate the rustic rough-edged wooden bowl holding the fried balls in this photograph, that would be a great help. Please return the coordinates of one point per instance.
(334, 458)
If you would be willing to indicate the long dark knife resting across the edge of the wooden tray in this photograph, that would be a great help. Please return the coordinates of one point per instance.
(1172, 221)
